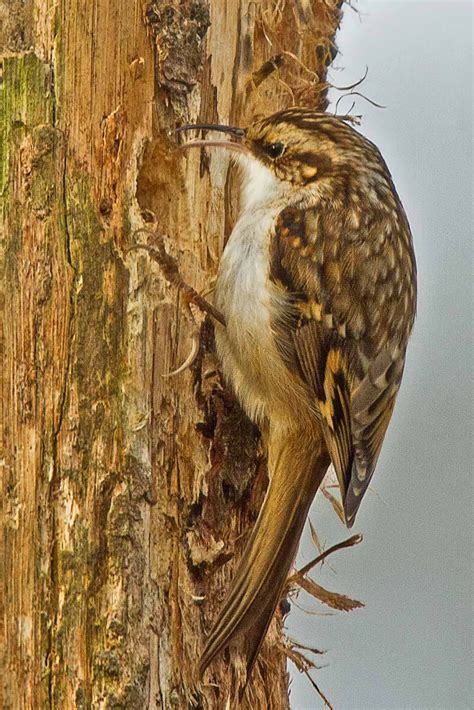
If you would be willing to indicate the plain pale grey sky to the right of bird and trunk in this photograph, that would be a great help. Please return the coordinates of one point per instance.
(410, 648)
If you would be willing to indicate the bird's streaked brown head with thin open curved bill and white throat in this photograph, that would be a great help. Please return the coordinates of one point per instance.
(296, 154)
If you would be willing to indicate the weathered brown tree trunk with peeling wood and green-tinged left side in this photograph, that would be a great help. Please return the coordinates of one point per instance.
(127, 496)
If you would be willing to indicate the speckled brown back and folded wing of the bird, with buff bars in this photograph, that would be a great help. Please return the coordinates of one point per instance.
(353, 290)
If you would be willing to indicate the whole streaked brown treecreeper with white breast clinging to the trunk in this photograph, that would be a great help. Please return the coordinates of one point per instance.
(317, 286)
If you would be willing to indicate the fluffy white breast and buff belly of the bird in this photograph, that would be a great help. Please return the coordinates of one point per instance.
(250, 301)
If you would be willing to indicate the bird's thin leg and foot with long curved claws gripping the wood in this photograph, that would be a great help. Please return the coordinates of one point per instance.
(191, 297)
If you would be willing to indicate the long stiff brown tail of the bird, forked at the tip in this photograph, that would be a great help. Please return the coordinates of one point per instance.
(297, 467)
